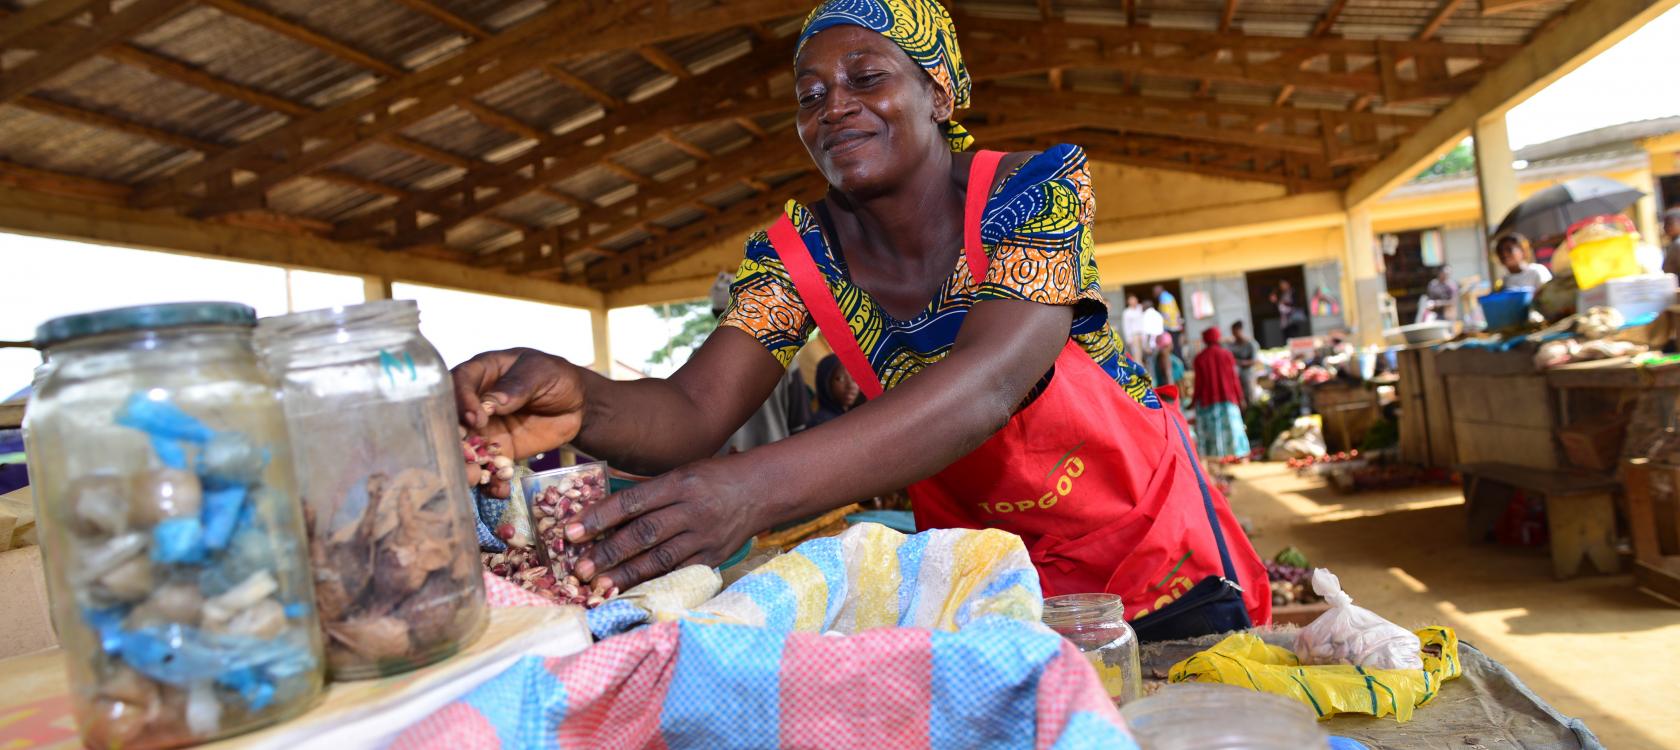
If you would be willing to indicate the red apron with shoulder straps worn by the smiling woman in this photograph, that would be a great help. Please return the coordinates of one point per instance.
(1103, 490)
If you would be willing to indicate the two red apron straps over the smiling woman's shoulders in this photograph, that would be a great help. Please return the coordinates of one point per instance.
(821, 302)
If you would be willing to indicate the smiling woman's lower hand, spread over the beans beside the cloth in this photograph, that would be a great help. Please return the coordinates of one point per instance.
(696, 515)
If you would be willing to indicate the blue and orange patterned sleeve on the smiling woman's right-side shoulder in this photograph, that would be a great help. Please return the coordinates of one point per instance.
(1037, 233)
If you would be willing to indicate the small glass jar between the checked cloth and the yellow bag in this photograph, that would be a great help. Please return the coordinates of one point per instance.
(1096, 625)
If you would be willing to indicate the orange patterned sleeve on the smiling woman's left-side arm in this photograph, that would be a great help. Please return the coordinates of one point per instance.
(765, 305)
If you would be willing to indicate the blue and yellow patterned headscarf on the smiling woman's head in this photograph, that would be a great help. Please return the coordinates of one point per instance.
(920, 28)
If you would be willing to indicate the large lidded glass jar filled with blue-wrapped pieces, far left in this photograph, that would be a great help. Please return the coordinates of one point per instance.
(171, 526)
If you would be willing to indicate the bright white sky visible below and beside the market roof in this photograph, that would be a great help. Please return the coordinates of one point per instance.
(48, 278)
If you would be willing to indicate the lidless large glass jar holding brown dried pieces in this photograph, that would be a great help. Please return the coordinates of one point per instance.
(384, 483)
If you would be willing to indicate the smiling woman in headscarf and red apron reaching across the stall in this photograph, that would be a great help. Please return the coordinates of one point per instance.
(962, 293)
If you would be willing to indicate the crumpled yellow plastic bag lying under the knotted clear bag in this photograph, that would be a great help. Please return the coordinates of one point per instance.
(1247, 662)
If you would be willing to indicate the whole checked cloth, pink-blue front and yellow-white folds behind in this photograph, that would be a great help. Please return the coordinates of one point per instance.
(864, 640)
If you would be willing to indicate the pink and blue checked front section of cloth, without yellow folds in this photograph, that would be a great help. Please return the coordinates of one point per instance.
(686, 685)
